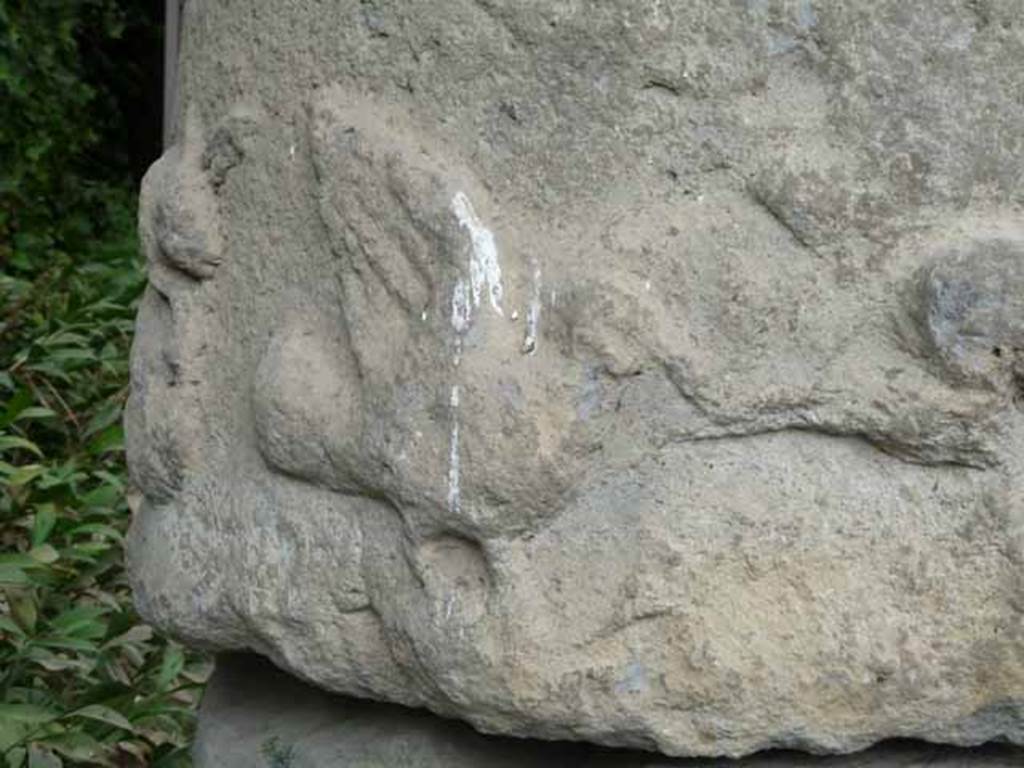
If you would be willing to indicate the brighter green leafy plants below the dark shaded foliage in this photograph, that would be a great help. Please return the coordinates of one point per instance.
(82, 681)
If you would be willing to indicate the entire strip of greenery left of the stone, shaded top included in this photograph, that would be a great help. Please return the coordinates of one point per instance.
(82, 681)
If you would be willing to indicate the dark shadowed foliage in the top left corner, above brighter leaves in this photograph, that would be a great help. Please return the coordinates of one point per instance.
(50, 126)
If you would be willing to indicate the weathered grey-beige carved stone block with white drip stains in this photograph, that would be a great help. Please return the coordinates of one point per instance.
(646, 373)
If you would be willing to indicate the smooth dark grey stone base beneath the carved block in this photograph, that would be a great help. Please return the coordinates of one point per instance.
(254, 716)
